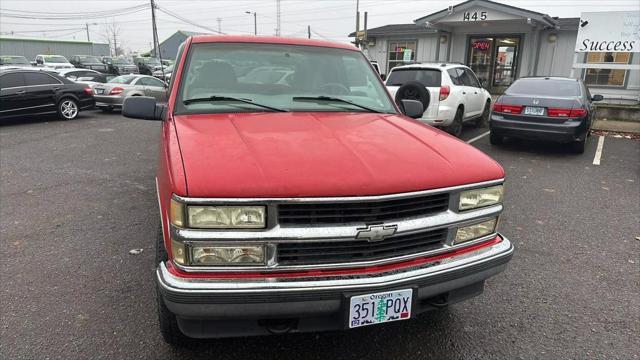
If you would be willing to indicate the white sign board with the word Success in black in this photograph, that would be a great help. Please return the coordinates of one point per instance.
(612, 31)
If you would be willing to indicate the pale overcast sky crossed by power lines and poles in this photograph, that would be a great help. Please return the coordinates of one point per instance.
(329, 19)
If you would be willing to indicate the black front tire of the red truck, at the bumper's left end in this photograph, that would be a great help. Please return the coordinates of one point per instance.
(167, 320)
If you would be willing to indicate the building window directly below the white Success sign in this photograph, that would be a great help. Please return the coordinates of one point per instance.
(606, 77)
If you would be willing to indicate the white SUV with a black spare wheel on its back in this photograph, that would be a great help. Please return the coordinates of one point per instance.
(450, 93)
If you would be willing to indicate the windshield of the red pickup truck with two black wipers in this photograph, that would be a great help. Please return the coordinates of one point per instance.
(283, 77)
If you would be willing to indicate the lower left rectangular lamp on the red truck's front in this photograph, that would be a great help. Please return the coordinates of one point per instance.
(227, 255)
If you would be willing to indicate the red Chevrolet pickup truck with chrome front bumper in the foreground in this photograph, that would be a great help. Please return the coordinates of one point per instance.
(295, 195)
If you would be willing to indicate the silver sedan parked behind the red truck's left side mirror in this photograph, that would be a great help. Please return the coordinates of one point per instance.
(111, 94)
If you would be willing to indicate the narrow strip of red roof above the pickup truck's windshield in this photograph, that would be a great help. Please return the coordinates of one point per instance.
(270, 40)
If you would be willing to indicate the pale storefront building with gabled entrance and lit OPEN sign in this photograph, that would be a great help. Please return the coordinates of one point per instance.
(502, 43)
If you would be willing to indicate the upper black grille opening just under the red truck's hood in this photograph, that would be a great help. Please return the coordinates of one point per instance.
(361, 212)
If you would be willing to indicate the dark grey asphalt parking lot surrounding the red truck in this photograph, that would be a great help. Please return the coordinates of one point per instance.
(77, 196)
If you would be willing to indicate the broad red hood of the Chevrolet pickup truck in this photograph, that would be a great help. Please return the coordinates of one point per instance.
(322, 154)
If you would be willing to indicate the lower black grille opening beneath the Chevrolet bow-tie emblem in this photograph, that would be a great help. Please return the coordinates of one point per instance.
(313, 253)
